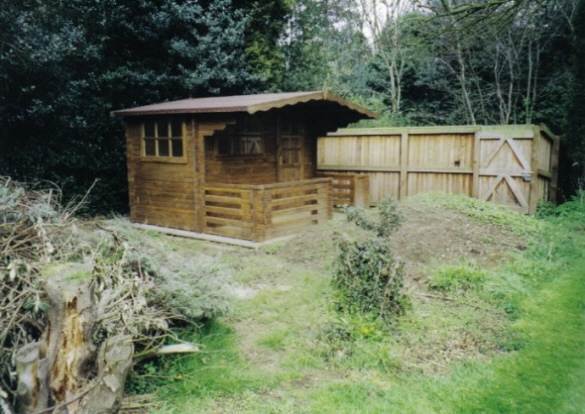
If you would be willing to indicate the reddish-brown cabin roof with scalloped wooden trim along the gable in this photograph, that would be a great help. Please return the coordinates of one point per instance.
(245, 103)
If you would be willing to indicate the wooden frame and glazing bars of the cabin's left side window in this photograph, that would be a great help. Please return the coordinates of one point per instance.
(156, 140)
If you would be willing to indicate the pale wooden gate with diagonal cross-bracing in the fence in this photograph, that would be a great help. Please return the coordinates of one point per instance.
(504, 170)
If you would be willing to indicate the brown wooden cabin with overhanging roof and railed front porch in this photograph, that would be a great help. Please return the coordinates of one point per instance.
(238, 166)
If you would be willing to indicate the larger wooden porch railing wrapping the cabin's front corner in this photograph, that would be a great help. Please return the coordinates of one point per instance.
(260, 212)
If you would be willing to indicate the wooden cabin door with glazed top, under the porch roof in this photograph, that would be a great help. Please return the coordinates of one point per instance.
(290, 148)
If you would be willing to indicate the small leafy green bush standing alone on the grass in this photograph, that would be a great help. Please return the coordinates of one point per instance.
(367, 278)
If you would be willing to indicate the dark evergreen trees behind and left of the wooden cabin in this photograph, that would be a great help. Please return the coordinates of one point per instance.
(66, 65)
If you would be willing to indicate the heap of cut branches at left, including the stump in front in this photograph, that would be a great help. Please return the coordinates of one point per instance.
(79, 302)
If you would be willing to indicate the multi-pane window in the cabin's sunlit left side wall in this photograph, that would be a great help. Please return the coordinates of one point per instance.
(163, 138)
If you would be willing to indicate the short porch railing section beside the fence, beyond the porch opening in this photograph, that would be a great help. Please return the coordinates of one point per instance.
(349, 189)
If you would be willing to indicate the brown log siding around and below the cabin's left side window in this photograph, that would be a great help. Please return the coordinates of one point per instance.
(161, 193)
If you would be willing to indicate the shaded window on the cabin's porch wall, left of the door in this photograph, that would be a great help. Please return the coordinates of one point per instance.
(243, 139)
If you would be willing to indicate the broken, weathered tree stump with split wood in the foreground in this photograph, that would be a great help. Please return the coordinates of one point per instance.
(59, 374)
